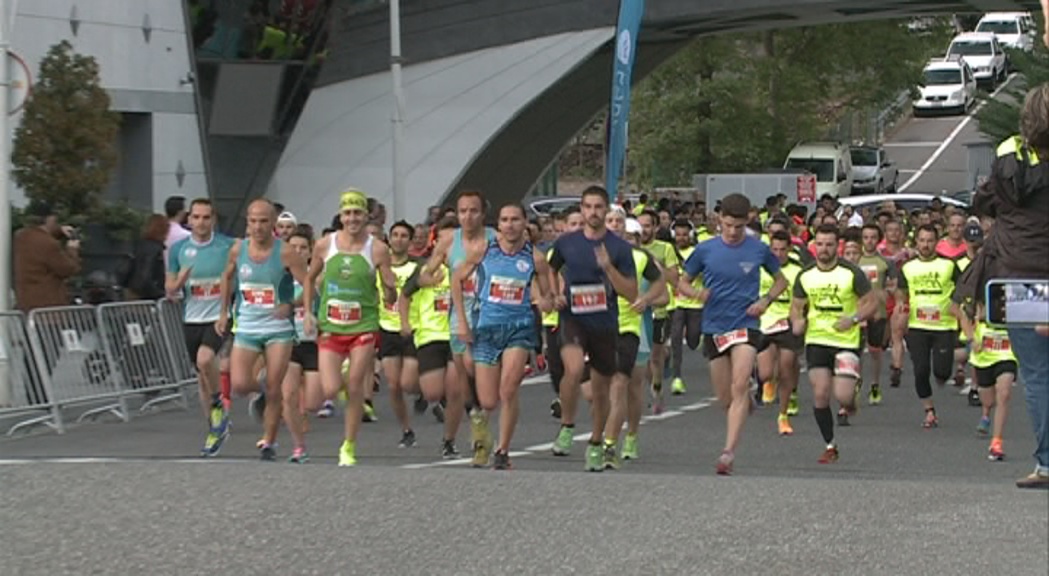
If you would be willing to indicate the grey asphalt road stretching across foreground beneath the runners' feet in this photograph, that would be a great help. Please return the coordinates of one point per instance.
(114, 498)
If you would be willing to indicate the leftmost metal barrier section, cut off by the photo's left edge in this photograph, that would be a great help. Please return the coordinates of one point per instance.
(24, 394)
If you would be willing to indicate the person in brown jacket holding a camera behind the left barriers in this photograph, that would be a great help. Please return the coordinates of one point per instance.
(42, 265)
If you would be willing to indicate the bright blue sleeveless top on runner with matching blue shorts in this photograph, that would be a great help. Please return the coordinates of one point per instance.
(505, 287)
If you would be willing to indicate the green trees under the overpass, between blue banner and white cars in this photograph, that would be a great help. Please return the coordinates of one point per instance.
(739, 103)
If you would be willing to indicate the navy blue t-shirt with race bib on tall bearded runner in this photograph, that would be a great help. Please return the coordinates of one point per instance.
(590, 295)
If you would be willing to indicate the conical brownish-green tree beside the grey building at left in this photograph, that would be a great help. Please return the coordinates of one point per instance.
(66, 150)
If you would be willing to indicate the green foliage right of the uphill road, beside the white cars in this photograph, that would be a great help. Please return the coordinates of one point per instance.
(1000, 118)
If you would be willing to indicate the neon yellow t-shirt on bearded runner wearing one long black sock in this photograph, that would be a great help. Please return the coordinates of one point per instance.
(831, 296)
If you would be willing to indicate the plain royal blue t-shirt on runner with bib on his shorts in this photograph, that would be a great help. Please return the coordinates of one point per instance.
(734, 275)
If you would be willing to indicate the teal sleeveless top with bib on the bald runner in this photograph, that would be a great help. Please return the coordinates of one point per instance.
(262, 288)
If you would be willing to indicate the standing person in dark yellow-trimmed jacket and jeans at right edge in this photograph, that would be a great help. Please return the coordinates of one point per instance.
(1017, 196)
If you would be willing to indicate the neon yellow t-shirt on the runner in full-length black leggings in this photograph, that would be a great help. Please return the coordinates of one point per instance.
(931, 285)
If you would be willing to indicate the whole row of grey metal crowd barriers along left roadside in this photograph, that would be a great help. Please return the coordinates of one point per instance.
(94, 359)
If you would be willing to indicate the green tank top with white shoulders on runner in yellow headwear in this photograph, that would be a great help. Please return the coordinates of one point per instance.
(350, 293)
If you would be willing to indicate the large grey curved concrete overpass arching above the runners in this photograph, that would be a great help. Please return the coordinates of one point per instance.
(495, 90)
